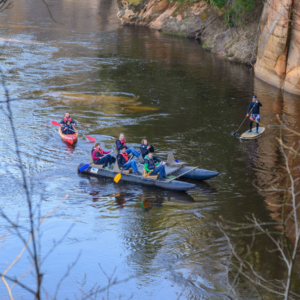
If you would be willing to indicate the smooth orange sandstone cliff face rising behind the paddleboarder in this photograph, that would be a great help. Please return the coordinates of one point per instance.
(278, 56)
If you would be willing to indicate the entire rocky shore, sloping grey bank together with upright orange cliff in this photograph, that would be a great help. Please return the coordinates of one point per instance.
(268, 37)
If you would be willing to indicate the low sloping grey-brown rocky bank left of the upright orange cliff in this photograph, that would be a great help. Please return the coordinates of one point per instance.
(200, 21)
